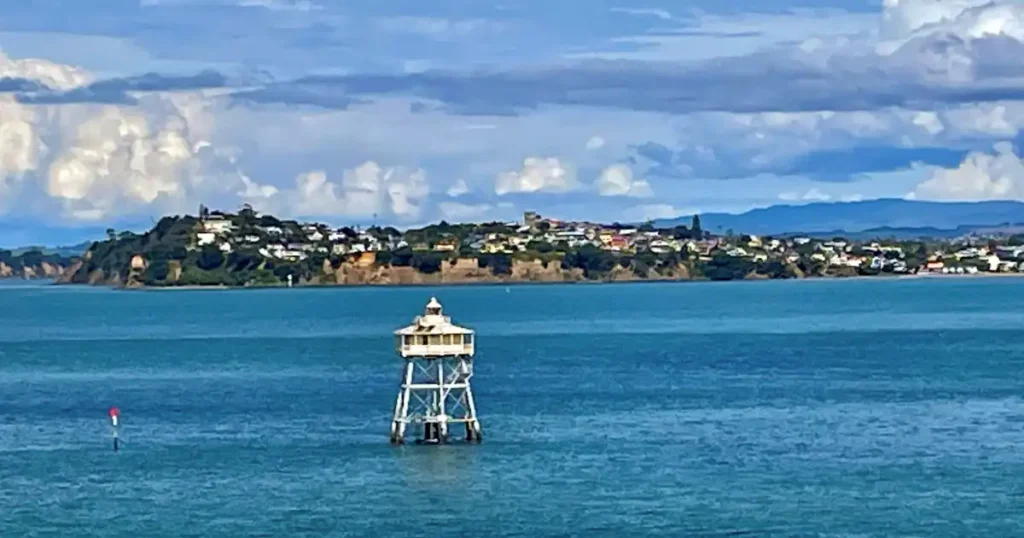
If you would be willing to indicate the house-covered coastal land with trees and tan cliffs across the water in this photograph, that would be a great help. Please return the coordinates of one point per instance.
(248, 250)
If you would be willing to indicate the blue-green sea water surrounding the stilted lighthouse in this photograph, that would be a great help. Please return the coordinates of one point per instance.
(812, 408)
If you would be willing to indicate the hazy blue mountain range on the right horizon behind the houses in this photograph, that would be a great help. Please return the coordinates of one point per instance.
(887, 218)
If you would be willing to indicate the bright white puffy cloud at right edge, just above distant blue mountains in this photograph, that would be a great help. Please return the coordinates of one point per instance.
(999, 176)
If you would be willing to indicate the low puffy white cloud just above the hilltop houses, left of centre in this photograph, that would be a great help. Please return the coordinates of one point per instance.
(365, 191)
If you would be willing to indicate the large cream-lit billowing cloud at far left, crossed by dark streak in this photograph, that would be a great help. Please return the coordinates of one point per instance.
(93, 162)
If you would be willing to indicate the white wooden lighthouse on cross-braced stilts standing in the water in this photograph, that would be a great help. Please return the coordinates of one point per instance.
(436, 390)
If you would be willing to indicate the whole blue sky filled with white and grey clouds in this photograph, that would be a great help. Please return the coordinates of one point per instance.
(404, 113)
